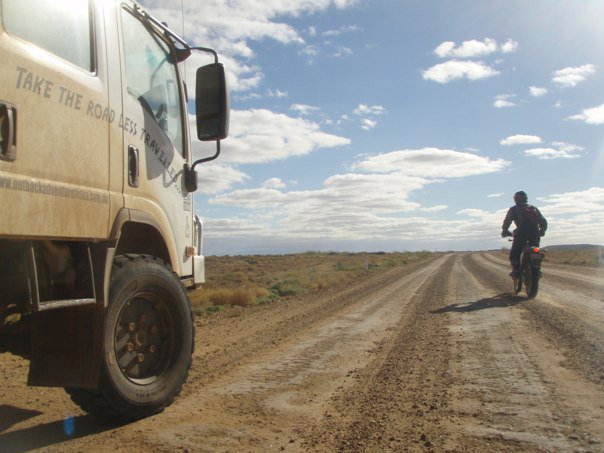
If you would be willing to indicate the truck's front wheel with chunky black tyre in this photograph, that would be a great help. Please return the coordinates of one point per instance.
(148, 341)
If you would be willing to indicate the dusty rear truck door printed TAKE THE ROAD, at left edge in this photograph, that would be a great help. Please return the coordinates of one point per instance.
(54, 111)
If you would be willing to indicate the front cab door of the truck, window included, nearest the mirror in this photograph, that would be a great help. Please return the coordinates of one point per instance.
(155, 135)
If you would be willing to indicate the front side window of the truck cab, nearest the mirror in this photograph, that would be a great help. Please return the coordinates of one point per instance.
(151, 77)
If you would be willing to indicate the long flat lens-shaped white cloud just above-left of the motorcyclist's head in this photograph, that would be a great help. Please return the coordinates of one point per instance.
(430, 163)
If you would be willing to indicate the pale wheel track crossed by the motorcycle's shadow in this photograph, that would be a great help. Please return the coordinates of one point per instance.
(513, 393)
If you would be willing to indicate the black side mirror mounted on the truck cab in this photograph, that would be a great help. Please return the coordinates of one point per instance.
(212, 103)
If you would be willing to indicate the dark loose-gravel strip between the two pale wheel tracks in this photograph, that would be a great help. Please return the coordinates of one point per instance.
(400, 399)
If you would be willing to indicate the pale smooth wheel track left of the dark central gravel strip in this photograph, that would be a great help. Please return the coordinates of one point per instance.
(288, 386)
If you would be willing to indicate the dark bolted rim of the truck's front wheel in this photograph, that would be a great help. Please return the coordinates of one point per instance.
(144, 338)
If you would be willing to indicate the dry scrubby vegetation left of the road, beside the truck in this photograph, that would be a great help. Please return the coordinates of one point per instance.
(257, 279)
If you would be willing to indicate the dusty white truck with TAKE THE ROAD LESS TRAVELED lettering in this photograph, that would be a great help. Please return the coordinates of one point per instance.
(99, 240)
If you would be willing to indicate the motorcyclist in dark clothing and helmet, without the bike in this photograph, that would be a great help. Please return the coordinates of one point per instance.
(530, 226)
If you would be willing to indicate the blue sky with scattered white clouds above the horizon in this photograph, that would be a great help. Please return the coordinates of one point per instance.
(398, 125)
